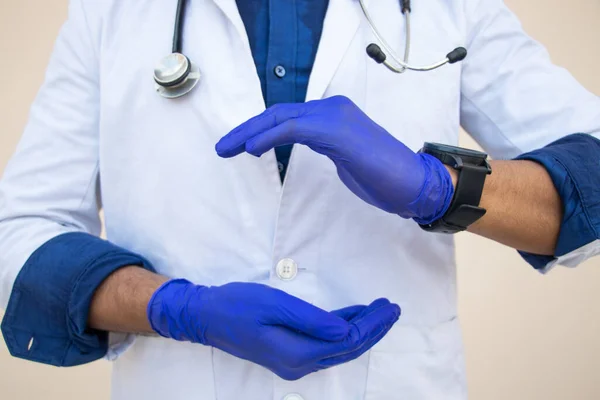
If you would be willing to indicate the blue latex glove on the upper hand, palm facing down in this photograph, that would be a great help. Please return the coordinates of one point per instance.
(372, 163)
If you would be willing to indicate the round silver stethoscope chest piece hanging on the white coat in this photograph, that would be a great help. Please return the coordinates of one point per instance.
(175, 76)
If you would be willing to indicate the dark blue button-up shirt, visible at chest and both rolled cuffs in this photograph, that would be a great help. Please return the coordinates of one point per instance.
(52, 293)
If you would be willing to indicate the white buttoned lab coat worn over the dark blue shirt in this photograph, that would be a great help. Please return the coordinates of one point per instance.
(99, 136)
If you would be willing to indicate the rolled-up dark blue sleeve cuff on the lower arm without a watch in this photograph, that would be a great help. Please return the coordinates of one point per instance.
(46, 316)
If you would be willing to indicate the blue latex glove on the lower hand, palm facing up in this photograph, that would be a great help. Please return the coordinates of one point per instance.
(267, 326)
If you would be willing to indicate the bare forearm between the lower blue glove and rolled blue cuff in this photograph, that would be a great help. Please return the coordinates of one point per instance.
(119, 304)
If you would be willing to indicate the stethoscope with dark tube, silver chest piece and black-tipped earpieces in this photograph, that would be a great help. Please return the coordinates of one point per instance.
(176, 75)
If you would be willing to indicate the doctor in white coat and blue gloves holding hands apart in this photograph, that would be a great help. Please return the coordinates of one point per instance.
(297, 252)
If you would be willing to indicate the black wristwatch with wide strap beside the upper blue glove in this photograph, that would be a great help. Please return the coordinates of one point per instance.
(472, 167)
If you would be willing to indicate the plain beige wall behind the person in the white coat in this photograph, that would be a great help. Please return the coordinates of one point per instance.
(527, 336)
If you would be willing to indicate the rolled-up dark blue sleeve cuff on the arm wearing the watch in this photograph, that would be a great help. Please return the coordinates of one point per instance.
(573, 163)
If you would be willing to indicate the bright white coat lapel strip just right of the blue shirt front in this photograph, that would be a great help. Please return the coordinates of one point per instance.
(340, 25)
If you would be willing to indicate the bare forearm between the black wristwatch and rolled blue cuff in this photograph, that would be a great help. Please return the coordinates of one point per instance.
(524, 210)
